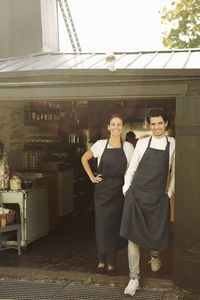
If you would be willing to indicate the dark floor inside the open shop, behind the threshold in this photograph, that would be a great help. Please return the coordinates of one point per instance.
(71, 247)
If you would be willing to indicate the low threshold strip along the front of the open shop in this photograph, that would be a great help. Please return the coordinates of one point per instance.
(171, 291)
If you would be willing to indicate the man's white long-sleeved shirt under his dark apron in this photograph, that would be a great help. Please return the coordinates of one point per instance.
(139, 151)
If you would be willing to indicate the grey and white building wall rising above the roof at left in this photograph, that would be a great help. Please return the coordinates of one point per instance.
(28, 26)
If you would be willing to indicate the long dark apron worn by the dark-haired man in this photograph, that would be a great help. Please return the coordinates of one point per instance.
(146, 214)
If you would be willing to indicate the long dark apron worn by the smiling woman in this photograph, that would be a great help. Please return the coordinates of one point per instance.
(109, 200)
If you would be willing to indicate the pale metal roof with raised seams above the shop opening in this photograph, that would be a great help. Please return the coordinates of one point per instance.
(169, 59)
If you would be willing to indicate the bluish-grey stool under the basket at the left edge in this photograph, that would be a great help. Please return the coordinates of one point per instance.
(8, 228)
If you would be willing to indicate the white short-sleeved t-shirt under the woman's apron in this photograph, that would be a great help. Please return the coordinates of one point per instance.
(99, 147)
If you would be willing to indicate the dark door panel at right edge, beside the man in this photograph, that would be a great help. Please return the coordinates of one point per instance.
(186, 269)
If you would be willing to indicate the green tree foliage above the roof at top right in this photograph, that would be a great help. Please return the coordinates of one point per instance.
(183, 19)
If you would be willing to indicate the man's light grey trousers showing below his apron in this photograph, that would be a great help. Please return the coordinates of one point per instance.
(134, 259)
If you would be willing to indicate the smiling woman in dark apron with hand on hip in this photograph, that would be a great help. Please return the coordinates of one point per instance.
(113, 158)
